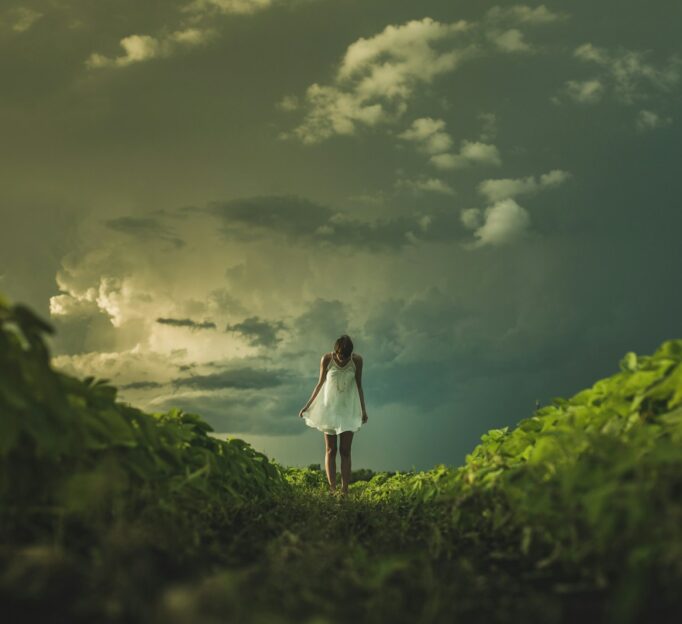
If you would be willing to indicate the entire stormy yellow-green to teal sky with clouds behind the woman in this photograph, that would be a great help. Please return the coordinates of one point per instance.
(202, 195)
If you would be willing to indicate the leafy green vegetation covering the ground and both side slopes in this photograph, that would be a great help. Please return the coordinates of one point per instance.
(109, 514)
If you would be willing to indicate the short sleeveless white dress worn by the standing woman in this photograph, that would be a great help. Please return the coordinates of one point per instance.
(336, 407)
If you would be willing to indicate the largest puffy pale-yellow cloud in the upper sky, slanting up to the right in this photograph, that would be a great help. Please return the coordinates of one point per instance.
(378, 75)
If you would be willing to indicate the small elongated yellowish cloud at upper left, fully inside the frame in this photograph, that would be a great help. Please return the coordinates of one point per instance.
(139, 48)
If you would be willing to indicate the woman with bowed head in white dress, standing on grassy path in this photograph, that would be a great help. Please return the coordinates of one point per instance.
(339, 408)
